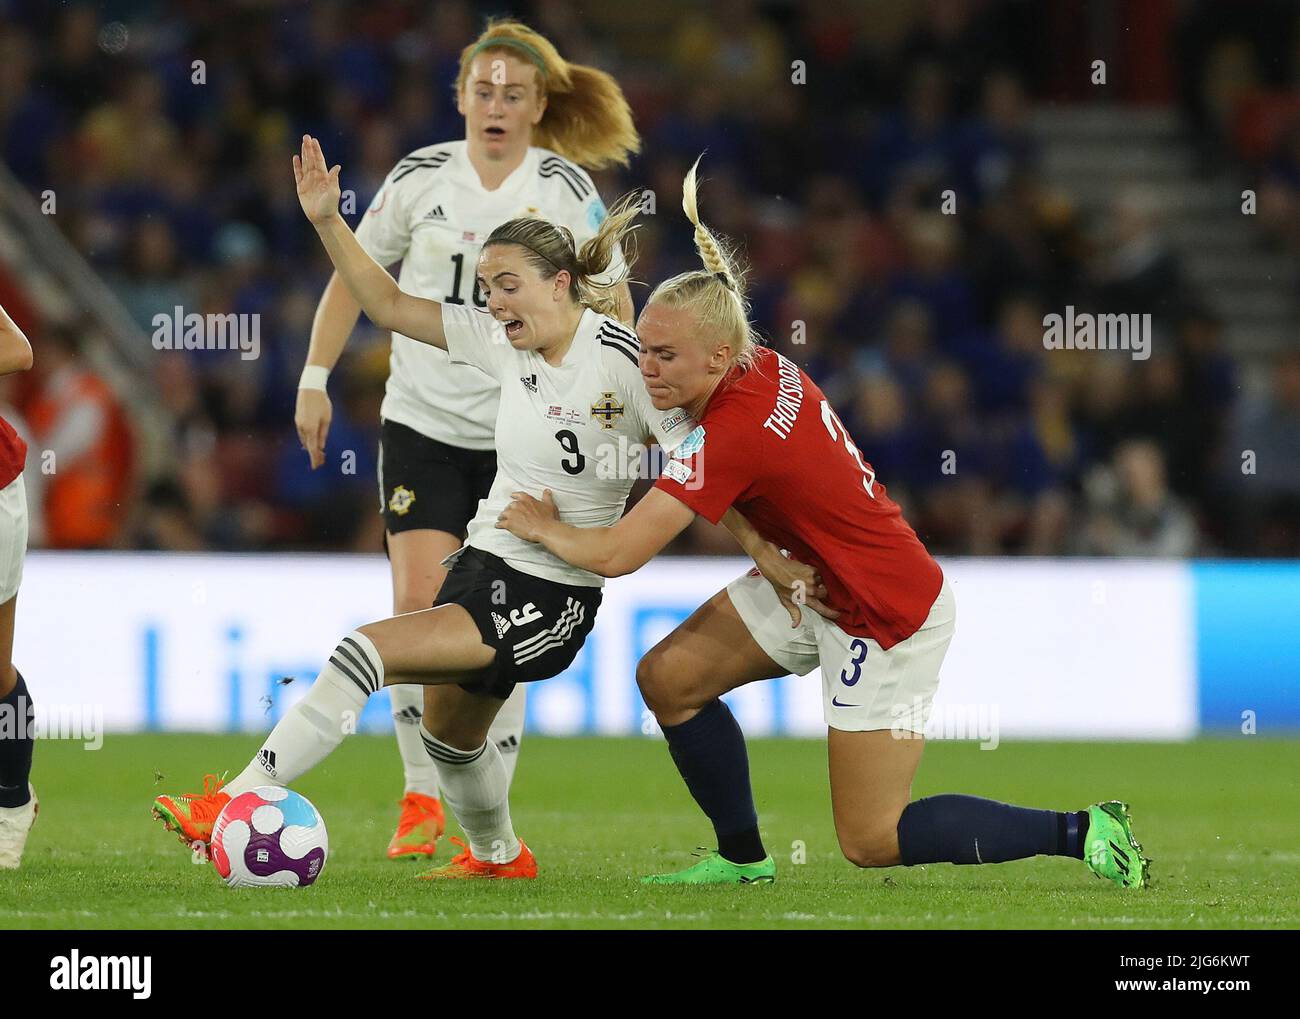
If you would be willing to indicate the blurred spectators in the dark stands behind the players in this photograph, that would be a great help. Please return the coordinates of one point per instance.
(925, 329)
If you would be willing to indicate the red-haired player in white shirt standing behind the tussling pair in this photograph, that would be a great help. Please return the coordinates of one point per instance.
(528, 114)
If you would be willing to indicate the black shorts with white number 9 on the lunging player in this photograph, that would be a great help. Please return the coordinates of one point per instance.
(538, 627)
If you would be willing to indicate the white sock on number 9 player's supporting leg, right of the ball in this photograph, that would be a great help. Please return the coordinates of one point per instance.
(476, 788)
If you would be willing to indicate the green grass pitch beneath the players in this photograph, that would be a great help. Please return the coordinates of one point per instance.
(1221, 819)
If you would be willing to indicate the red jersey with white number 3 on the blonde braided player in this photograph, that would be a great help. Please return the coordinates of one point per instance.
(770, 444)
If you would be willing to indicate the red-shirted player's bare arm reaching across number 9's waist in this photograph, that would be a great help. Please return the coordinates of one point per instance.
(622, 548)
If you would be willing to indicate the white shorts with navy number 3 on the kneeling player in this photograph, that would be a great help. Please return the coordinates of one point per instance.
(864, 687)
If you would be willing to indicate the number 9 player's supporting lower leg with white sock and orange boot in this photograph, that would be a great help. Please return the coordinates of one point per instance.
(475, 784)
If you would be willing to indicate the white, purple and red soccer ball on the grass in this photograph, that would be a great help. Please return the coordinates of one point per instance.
(270, 838)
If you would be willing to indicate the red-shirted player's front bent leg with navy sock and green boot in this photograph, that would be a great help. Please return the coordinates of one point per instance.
(682, 680)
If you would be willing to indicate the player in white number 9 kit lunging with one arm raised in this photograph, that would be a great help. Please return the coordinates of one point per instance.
(573, 406)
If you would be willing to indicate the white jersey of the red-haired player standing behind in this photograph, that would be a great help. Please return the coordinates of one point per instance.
(434, 215)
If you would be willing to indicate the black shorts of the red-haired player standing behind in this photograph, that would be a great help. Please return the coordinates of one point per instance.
(428, 485)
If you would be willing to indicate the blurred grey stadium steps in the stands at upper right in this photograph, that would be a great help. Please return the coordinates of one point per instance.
(1093, 151)
